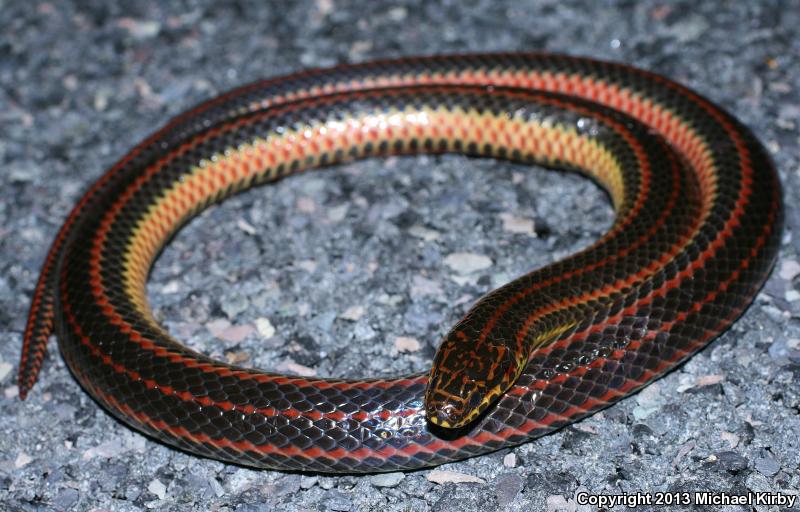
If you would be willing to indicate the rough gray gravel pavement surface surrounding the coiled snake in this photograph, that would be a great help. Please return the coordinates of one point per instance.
(352, 271)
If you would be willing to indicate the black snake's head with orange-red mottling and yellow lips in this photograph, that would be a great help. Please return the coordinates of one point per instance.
(469, 374)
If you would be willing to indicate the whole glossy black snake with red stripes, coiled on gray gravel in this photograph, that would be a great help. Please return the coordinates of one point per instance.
(698, 218)
